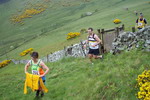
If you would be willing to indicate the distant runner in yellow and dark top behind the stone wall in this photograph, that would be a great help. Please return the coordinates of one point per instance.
(141, 22)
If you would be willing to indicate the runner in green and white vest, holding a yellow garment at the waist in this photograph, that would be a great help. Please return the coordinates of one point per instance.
(37, 67)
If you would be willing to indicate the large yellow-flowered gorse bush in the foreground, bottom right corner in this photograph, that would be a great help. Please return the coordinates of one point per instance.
(144, 85)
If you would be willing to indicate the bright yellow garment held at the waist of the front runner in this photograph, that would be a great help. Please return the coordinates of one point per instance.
(34, 81)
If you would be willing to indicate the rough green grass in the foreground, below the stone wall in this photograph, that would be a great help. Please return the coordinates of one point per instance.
(113, 78)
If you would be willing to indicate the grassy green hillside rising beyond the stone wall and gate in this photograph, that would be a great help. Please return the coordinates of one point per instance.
(58, 19)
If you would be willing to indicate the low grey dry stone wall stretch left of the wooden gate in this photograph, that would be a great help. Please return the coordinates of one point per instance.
(75, 50)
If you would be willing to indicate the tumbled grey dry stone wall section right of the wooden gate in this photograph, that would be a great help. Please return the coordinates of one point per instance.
(130, 40)
